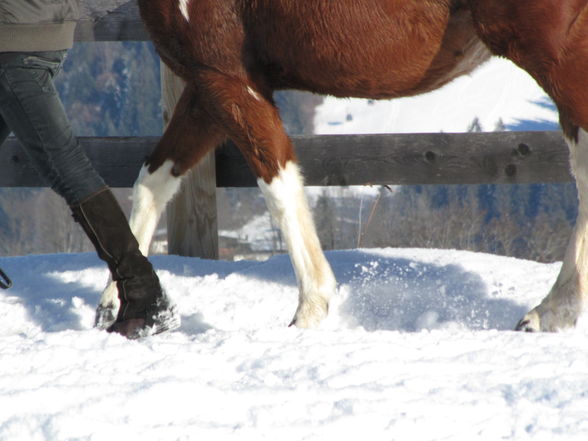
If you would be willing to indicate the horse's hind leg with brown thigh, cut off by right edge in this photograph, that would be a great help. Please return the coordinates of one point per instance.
(549, 40)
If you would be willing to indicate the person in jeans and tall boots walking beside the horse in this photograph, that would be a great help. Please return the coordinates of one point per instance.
(34, 38)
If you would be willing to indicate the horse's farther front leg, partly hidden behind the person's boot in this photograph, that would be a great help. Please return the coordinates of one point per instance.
(189, 136)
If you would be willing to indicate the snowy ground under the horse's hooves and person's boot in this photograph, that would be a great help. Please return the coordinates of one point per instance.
(417, 347)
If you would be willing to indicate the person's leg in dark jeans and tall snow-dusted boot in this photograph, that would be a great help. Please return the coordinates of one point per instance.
(30, 106)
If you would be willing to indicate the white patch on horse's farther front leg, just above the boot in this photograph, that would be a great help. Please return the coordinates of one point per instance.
(151, 193)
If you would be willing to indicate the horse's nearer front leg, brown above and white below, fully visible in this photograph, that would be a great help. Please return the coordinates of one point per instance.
(251, 120)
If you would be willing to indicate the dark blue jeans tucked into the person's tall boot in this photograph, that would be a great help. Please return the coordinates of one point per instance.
(30, 108)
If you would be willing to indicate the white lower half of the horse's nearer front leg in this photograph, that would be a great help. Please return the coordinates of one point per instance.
(287, 204)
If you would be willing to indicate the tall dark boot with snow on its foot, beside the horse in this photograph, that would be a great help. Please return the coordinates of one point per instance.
(144, 308)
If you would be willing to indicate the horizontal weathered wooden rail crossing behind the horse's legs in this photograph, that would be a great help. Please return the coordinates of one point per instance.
(336, 160)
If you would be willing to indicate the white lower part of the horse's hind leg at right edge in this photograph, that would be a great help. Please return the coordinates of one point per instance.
(564, 304)
